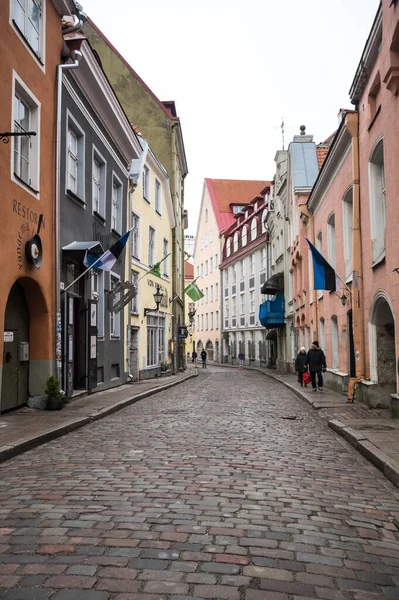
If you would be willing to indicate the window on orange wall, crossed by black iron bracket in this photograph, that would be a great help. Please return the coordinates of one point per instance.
(26, 117)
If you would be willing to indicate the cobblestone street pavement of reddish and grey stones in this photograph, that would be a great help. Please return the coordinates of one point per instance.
(226, 487)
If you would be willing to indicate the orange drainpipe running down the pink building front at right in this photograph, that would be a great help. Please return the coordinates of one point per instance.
(352, 125)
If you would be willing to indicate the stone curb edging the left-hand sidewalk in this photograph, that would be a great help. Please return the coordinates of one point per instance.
(9, 451)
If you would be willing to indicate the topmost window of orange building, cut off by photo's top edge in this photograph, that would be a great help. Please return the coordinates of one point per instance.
(27, 17)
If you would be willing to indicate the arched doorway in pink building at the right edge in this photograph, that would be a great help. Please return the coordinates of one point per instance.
(382, 347)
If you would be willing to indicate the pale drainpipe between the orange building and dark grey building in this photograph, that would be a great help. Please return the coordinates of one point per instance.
(58, 326)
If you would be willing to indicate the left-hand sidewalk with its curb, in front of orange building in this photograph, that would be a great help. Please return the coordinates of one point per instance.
(27, 428)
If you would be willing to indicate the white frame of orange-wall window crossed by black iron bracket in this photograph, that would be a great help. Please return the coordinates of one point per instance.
(20, 90)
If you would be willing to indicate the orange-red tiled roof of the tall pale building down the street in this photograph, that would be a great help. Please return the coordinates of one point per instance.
(225, 192)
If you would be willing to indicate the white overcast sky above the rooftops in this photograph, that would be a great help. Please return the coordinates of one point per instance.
(235, 68)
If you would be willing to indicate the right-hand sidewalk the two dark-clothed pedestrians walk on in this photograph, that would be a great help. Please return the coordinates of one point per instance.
(373, 432)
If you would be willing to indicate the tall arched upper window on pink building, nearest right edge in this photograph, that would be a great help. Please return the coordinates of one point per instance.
(377, 201)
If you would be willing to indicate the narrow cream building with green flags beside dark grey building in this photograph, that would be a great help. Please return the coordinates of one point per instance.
(150, 342)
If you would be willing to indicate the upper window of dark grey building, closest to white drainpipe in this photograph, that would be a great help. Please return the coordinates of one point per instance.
(74, 183)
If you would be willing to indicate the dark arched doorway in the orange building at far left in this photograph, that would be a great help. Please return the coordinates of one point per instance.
(14, 386)
